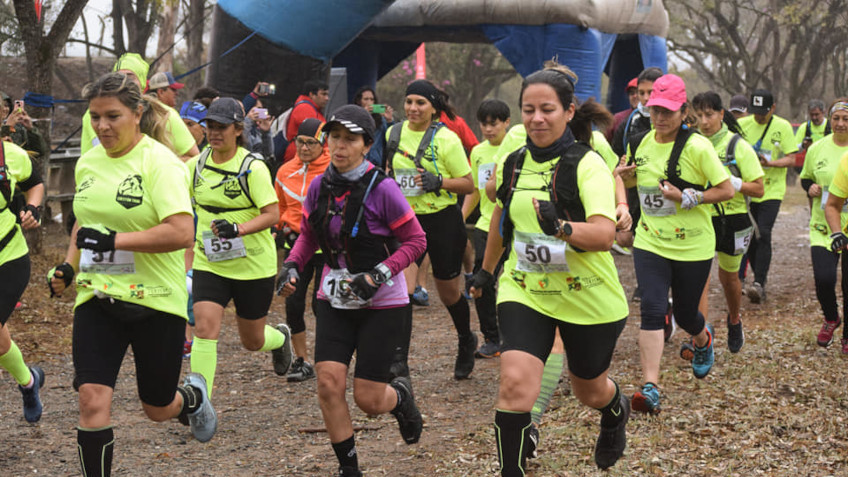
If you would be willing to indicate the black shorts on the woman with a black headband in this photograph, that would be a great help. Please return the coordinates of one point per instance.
(446, 240)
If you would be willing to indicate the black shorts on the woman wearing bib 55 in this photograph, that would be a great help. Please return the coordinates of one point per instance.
(252, 298)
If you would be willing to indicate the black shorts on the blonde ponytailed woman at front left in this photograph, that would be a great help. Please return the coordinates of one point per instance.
(104, 329)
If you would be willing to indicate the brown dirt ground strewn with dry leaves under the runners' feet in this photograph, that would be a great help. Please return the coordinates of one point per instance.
(778, 408)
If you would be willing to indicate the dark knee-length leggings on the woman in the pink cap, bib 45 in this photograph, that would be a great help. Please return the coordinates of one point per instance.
(655, 275)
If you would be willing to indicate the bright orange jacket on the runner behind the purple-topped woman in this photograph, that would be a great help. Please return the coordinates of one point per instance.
(291, 184)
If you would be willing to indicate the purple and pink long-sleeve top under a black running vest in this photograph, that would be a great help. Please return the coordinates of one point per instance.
(387, 213)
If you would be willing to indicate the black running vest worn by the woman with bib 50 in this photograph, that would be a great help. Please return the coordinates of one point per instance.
(563, 190)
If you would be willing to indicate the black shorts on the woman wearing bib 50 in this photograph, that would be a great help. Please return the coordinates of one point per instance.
(588, 347)
